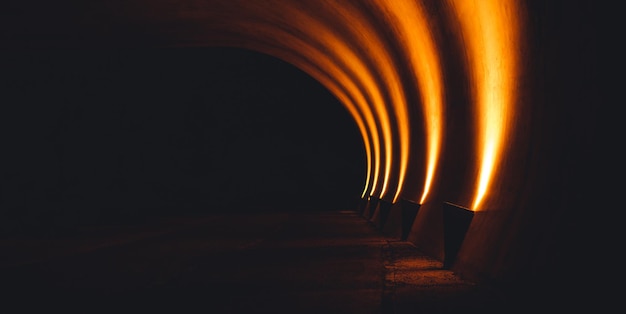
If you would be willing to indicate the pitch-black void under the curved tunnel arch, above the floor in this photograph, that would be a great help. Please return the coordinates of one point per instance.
(114, 136)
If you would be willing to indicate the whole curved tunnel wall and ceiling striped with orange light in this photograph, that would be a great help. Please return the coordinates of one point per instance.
(488, 105)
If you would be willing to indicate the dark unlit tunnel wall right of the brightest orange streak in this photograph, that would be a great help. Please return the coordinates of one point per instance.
(537, 228)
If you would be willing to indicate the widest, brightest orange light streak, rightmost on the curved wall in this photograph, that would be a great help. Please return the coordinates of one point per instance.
(490, 30)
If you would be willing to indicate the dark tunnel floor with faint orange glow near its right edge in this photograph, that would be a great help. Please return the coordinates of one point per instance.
(318, 262)
